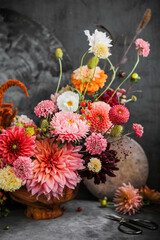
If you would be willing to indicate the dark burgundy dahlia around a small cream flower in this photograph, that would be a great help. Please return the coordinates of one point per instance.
(108, 161)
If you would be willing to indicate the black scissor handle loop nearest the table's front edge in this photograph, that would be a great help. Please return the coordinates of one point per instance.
(123, 228)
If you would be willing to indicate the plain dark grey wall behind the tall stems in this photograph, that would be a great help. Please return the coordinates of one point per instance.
(67, 19)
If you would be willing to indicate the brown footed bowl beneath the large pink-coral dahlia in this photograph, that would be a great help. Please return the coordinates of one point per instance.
(42, 208)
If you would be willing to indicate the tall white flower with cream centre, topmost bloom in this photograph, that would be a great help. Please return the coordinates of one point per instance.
(99, 44)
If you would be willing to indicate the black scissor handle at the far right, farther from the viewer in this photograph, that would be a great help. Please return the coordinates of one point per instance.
(143, 223)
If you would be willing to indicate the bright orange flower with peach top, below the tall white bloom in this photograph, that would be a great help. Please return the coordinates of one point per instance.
(99, 79)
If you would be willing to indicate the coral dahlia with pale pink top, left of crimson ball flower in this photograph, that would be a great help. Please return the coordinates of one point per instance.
(99, 120)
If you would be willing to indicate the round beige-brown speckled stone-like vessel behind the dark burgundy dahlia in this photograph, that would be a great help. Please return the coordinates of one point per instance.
(133, 168)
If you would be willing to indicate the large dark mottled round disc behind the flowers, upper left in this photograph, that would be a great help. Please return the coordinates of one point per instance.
(27, 54)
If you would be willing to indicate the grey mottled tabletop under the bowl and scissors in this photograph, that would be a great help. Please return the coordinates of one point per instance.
(87, 224)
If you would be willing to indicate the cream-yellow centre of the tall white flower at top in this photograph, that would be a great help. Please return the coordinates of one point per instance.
(100, 50)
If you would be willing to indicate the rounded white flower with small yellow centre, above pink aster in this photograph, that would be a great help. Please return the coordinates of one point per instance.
(68, 101)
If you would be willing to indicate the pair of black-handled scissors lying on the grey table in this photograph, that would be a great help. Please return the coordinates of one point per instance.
(125, 223)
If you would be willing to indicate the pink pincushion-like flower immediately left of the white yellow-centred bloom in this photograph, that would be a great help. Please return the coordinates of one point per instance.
(44, 108)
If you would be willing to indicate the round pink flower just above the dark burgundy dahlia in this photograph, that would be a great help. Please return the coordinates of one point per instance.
(95, 144)
